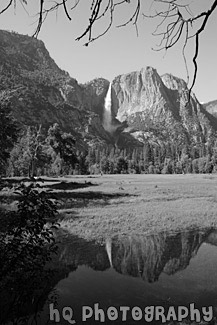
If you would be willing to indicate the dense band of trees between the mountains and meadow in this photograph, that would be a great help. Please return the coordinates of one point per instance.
(53, 153)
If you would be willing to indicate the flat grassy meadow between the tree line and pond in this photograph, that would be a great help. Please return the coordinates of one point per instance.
(108, 205)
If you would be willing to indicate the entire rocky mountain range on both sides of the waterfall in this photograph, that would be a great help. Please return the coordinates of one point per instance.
(144, 106)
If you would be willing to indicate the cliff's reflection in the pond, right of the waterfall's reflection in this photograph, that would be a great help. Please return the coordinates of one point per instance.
(147, 257)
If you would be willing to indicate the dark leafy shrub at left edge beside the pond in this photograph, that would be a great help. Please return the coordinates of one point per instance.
(27, 243)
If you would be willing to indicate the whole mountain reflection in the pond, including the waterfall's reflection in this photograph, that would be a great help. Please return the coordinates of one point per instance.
(138, 256)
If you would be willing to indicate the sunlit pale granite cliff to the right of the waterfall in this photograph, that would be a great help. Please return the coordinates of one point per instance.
(146, 100)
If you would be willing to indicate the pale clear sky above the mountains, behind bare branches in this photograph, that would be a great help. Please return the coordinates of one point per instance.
(120, 50)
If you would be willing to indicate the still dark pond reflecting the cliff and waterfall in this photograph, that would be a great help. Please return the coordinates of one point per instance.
(156, 270)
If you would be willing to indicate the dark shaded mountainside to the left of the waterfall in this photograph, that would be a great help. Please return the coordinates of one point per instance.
(42, 93)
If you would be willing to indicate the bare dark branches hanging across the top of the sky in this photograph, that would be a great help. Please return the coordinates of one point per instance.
(177, 21)
